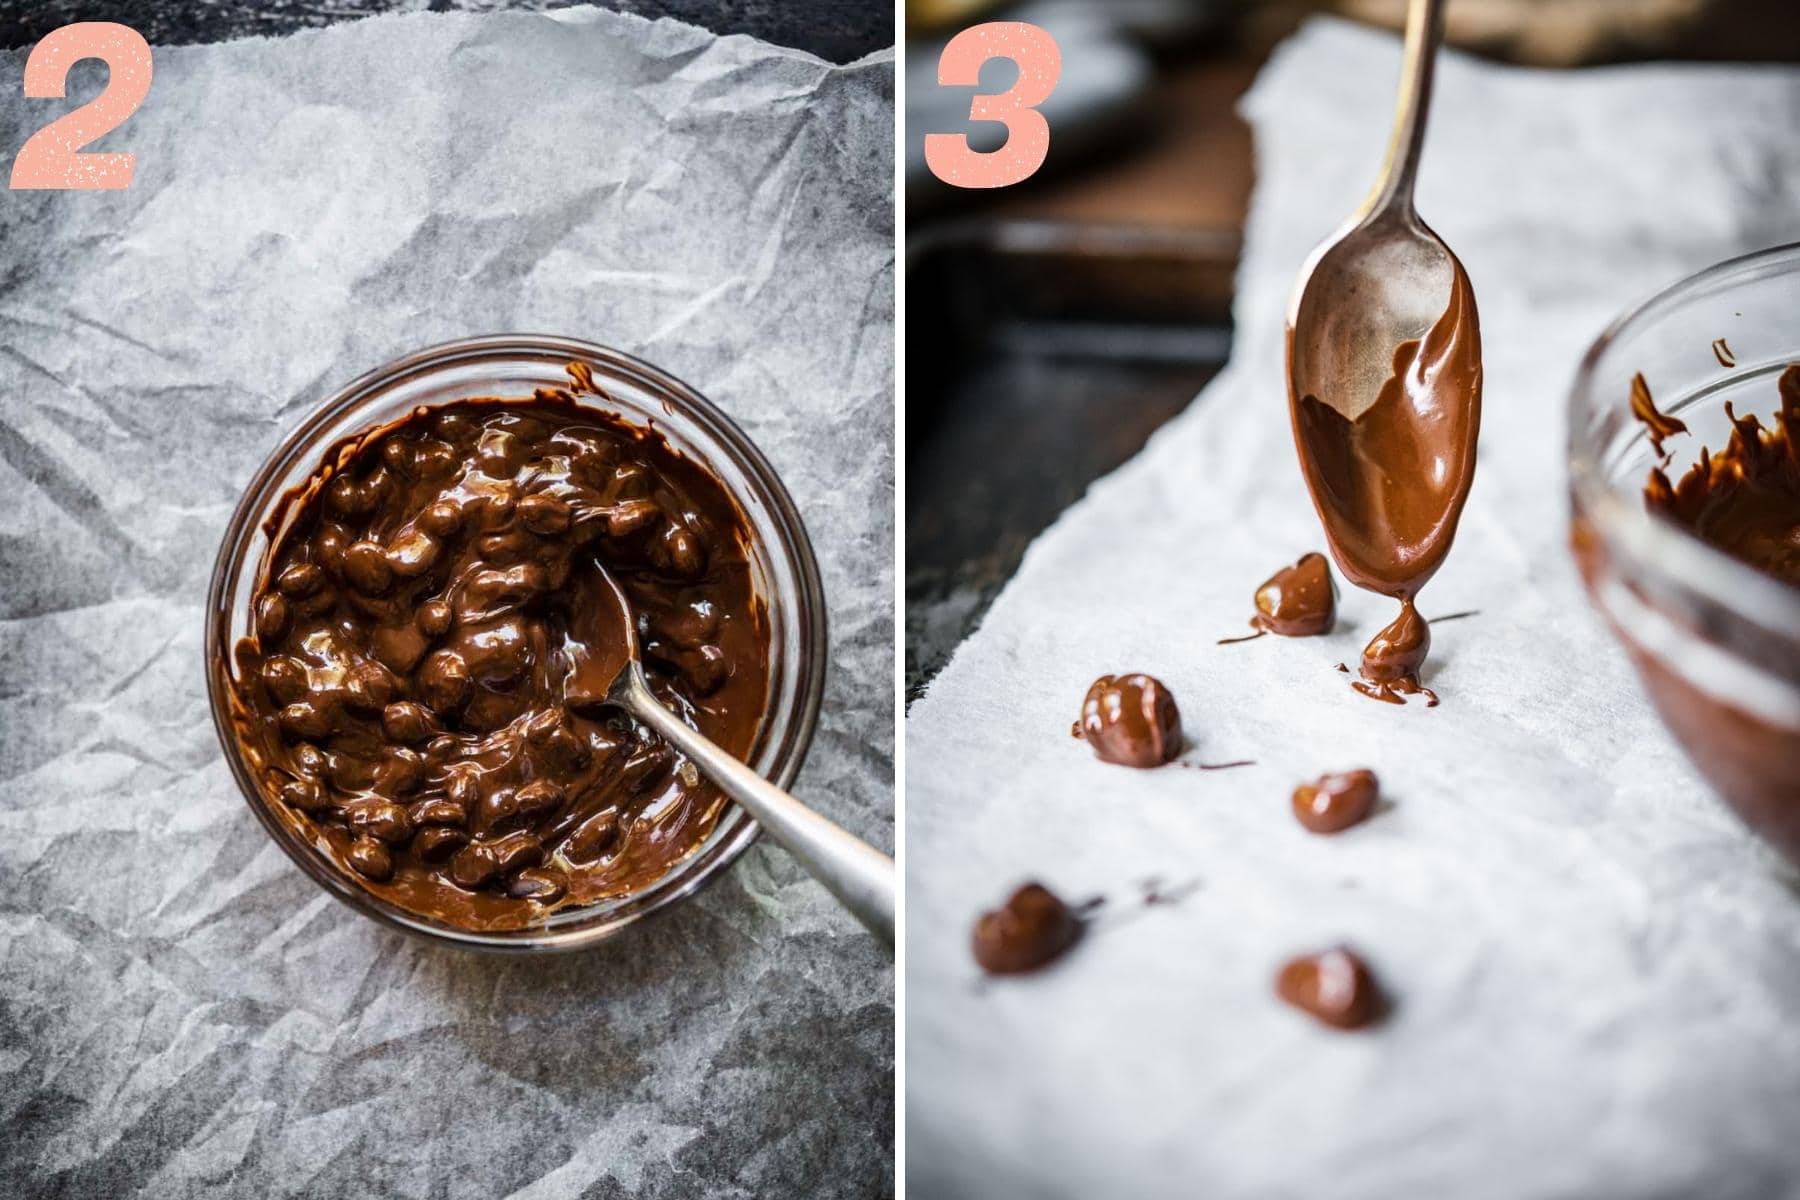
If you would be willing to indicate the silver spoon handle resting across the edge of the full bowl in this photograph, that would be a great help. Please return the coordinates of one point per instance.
(852, 870)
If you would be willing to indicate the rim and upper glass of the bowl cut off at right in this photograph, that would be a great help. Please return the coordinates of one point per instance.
(1617, 512)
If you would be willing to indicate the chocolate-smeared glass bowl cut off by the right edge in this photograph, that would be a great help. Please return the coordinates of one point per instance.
(1714, 641)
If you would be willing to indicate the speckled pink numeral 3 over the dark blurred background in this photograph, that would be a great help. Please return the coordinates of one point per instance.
(1039, 64)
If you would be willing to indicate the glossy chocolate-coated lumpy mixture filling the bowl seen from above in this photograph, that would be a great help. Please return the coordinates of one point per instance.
(433, 589)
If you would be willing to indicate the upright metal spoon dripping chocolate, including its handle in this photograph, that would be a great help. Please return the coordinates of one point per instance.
(1385, 310)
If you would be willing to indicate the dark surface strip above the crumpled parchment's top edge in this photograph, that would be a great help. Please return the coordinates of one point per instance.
(834, 30)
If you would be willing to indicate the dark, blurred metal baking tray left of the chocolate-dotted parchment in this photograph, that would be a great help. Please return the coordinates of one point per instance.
(1041, 355)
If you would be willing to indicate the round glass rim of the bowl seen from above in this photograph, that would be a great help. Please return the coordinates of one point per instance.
(795, 541)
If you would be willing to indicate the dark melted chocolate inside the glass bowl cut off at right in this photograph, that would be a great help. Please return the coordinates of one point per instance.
(1747, 499)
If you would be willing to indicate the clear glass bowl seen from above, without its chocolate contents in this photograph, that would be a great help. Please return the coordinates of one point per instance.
(784, 568)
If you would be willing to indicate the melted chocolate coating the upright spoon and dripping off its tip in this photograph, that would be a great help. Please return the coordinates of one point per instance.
(1390, 483)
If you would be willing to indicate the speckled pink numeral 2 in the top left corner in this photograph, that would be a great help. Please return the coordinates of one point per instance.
(49, 157)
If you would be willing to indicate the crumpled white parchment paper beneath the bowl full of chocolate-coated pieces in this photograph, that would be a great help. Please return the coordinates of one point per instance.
(183, 1014)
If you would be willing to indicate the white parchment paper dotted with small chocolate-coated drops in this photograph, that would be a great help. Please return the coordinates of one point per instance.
(1597, 972)
